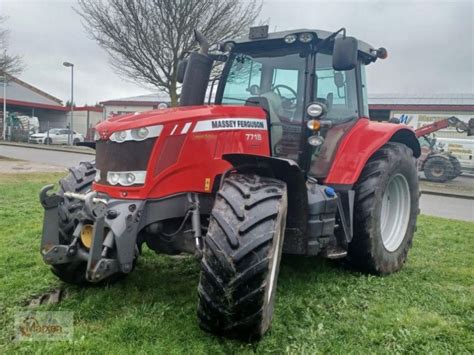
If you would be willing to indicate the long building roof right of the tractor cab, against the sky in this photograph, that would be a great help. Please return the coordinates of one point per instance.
(422, 102)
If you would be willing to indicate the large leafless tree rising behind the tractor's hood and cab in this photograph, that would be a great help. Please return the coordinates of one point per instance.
(146, 38)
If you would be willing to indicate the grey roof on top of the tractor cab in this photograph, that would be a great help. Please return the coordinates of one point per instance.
(365, 49)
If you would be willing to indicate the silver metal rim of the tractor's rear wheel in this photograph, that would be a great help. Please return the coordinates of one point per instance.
(395, 212)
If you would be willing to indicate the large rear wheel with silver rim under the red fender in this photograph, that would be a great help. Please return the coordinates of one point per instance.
(385, 211)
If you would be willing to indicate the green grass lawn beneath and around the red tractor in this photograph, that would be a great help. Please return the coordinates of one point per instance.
(321, 307)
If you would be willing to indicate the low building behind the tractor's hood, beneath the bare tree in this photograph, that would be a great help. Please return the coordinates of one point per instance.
(135, 104)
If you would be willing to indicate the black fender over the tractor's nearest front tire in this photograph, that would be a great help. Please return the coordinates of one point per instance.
(288, 171)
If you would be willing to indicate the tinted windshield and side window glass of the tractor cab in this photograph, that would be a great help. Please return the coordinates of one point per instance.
(281, 80)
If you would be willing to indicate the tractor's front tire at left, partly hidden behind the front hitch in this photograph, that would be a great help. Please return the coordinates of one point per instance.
(78, 180)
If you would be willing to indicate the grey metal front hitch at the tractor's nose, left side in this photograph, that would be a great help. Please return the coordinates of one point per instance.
(115, 228)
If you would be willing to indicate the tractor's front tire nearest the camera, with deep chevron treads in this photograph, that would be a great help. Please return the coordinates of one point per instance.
(241, 259)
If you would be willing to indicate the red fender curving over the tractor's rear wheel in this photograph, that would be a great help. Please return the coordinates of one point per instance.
(364, 139)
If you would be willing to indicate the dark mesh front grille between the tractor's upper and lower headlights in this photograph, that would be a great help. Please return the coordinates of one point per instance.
(126, 156)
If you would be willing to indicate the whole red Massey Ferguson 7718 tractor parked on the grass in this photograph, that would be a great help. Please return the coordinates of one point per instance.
(285, 161)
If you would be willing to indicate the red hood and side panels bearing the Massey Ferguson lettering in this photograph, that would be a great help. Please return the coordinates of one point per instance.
(200, 156)
